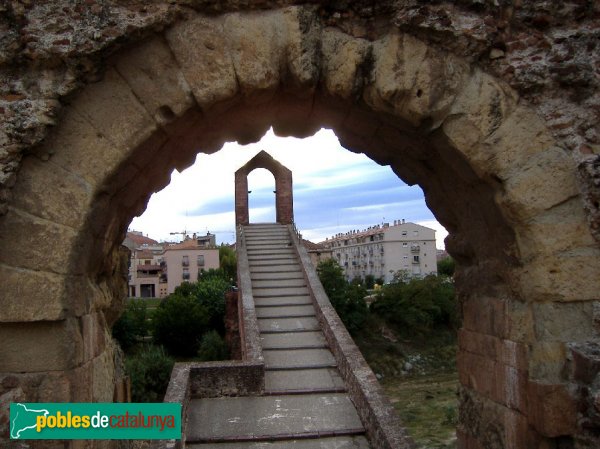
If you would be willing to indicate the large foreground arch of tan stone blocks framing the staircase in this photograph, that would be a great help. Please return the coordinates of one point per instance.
(490, 170)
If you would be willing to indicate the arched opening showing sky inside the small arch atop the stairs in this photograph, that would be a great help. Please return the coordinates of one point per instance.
(261, 196)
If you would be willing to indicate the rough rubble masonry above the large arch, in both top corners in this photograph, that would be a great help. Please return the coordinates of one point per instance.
(547, 51)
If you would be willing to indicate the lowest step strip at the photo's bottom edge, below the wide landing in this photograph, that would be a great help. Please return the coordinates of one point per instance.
(336, 442)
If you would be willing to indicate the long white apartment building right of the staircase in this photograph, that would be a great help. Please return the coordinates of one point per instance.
(382, 250)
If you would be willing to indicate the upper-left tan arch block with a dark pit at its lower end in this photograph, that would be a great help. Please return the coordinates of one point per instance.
(152, 73)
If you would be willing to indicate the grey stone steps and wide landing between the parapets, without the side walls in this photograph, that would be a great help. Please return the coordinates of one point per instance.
(305, 404)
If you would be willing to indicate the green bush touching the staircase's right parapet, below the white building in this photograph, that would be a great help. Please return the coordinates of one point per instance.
(347, 299)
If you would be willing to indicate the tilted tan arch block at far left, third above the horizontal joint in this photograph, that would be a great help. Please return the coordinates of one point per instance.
(48, 191)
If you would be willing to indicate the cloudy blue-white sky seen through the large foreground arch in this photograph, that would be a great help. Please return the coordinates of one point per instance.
(334, 190)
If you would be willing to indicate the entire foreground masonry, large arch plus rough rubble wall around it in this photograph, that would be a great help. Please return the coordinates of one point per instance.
(491, 107)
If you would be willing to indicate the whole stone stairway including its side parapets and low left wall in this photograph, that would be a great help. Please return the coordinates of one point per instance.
(302, 382)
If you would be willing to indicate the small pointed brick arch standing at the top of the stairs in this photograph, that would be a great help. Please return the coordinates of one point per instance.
(284, 201)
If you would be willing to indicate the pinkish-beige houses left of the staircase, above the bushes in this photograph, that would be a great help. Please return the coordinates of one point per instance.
(156, 269)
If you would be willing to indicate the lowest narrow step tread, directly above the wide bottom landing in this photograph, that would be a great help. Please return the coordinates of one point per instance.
(303, 380)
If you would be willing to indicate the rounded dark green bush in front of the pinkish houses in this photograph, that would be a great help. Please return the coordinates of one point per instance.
(178, 324)
